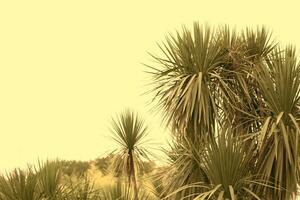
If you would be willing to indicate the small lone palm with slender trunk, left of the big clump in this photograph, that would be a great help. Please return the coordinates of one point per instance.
(129, 132)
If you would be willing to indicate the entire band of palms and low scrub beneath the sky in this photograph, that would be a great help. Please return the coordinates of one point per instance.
(231, 100)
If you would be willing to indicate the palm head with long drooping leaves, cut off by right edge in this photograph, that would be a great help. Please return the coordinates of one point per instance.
(279, 80)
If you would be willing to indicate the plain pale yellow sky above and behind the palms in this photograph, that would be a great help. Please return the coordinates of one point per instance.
(67, 66)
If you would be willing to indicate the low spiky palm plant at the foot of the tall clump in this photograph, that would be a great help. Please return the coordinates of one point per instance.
(228, 164)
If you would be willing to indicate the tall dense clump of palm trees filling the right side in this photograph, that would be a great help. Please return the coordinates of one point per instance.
(209, 81)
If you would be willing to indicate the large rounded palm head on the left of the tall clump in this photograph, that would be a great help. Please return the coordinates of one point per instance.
(183, 79)
